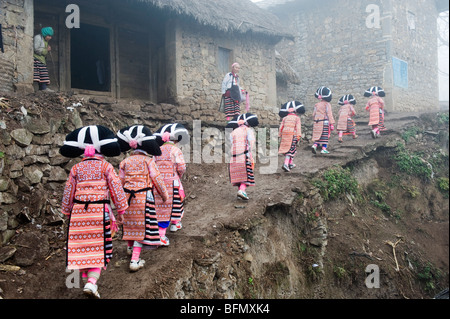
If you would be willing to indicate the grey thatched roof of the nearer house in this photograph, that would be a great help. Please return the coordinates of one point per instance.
(225, 15)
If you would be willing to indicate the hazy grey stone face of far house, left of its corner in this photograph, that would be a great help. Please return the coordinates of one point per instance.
(334, 49)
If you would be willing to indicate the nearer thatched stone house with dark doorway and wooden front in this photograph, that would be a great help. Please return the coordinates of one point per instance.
(174, 51)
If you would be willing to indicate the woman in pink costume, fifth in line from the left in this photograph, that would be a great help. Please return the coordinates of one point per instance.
(290, 132)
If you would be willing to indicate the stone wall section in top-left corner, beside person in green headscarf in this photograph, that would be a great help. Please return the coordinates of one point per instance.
(16, 63)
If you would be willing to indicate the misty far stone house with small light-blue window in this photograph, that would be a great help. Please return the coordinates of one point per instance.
(351, 45)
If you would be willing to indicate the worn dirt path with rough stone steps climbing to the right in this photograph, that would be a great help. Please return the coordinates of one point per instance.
(276, 188)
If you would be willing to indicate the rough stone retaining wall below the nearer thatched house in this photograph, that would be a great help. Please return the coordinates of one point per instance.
(33, 128)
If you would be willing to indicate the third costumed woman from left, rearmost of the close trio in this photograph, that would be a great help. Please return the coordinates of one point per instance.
(172, 166)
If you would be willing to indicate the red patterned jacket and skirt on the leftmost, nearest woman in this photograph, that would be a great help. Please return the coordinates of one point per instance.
(89, 239)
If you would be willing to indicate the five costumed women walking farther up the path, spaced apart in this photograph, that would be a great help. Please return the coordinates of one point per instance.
(241, 167)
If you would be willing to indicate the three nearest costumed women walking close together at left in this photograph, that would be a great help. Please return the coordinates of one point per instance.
(147, 194)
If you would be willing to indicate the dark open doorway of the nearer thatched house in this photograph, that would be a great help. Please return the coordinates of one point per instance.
(90, 58)
